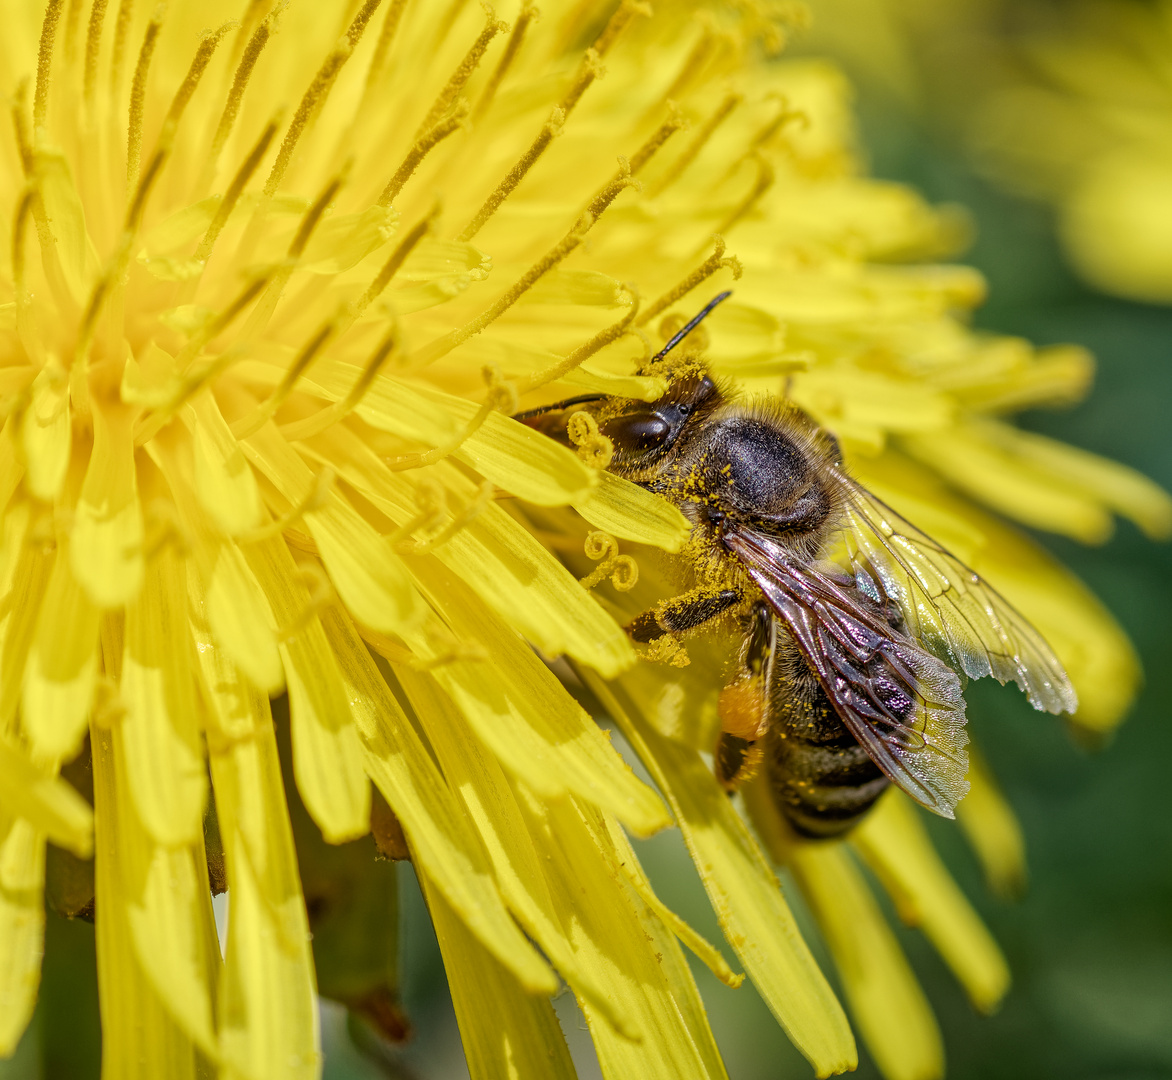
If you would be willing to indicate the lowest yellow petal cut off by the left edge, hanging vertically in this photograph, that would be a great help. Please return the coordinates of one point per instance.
(22, 927)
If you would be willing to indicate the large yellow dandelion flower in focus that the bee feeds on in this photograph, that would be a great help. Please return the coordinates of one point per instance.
(275, 279)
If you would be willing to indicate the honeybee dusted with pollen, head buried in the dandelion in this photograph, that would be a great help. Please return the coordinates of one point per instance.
(857, 630)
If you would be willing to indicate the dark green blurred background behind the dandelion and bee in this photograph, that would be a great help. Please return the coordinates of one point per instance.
(1091, 945)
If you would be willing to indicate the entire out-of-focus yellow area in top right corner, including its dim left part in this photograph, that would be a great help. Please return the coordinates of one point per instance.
(1068, 104)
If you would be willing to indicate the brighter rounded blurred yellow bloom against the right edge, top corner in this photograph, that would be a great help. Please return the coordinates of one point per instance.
(1085, 120)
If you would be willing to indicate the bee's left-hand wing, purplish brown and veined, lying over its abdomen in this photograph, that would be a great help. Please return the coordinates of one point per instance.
(902, 703)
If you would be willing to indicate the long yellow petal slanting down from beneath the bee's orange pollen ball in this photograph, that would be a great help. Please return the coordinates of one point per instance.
(744, 891)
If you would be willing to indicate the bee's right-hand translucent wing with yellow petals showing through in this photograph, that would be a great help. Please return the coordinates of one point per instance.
(950, 607)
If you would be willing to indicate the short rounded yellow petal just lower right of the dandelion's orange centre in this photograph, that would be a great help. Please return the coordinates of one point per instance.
(224, 481)
